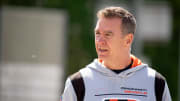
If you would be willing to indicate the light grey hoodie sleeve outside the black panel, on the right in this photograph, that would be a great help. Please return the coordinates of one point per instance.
(166, 94)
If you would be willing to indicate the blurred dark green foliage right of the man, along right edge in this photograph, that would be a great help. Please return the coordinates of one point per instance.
(164, 57)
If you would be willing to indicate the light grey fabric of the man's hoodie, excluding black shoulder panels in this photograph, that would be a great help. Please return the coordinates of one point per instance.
(102, 84)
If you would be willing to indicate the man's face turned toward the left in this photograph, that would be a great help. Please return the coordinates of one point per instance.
(109, 40)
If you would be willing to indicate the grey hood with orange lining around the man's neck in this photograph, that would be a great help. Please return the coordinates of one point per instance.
(99, 67)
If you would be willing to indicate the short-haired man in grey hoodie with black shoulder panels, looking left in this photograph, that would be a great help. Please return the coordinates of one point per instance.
(116, 75)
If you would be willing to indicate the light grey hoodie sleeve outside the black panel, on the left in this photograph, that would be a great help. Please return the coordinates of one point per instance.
(69, 93)
